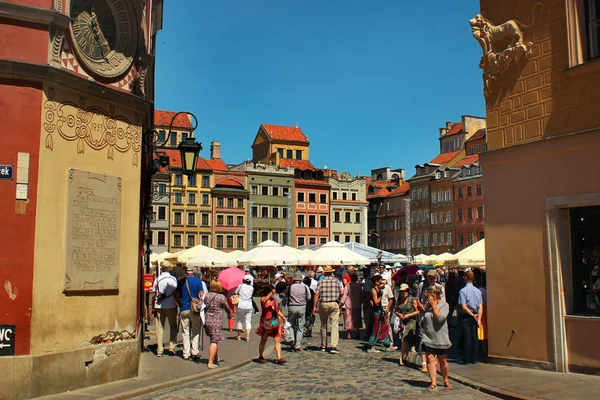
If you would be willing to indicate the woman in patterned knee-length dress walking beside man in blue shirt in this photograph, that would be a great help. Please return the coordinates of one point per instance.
(215, 303)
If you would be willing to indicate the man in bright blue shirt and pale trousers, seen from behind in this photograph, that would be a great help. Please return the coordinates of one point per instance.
(188, 288)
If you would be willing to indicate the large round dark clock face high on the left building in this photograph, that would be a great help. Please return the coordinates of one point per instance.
(104, 35)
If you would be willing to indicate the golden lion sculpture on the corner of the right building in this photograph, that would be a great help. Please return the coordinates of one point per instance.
(501, 44)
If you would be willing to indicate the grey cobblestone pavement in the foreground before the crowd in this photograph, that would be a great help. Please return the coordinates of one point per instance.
(312, 374)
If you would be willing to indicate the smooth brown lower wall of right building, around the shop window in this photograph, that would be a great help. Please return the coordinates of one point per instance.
(516, 248)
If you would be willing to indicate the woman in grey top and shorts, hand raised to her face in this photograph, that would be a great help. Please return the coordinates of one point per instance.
(436, 341)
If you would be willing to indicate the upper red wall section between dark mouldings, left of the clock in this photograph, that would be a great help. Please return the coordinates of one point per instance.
(23, 41)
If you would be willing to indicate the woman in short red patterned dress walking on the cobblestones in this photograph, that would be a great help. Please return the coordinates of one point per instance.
(272, 323)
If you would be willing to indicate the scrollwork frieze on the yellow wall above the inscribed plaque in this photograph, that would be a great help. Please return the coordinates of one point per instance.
(91, 126)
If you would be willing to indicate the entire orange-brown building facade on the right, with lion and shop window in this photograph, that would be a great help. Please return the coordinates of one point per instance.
(543, 135)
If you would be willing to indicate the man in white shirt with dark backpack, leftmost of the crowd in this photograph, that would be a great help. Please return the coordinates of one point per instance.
(165, 307)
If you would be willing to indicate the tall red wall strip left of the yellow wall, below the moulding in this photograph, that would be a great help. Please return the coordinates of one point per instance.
(20, 105)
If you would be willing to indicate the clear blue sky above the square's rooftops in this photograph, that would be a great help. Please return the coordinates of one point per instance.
(369, 82)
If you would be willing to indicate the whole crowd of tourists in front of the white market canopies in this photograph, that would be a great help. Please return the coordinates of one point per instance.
(401, 308)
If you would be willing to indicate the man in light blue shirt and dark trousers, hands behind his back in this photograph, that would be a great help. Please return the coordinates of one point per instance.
(469, 318)
